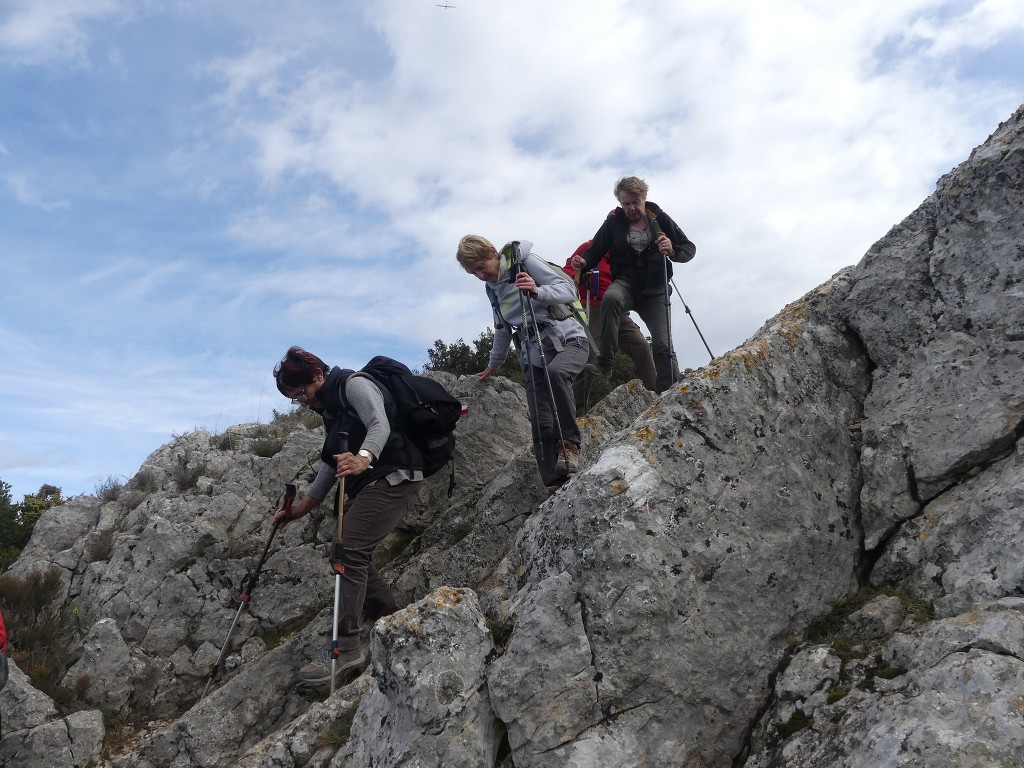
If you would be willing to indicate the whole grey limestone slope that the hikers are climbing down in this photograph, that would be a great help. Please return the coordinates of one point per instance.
(806, 553)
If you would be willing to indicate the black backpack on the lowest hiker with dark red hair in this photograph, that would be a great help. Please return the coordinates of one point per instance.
(426, 412)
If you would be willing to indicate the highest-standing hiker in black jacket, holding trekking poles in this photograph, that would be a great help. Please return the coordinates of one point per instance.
(644, 241)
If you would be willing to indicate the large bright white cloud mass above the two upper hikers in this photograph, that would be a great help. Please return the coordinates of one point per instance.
(519, 119)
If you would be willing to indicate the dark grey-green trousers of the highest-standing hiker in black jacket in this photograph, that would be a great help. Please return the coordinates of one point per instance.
(621, 298)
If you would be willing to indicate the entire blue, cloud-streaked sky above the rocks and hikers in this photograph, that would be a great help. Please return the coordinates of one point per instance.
(188, 189)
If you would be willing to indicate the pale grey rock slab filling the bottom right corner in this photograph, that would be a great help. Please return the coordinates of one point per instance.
(951, 698)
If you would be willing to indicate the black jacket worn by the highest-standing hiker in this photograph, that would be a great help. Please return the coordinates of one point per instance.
(645, 271)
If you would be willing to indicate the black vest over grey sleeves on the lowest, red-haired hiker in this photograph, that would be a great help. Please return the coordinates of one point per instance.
(340, 419)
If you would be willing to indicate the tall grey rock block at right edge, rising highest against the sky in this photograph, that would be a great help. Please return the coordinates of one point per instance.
(937, 305)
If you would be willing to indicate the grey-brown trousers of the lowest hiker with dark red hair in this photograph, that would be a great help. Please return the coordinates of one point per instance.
(369, 518)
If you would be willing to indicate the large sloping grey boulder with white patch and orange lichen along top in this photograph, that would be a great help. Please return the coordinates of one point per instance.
(703, 538)
